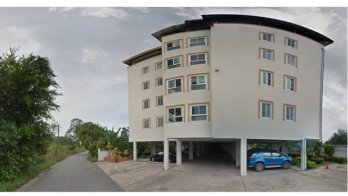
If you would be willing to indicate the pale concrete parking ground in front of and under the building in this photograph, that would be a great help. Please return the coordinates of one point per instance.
(205, 175)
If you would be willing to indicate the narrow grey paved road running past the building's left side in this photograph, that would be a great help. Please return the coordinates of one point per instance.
(75, 173)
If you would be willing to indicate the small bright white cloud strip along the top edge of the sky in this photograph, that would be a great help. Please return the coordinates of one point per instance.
(105, 12)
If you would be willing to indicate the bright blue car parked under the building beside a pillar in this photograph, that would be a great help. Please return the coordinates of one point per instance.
(259, 159)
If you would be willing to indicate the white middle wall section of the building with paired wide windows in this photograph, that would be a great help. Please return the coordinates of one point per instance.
(187, 129)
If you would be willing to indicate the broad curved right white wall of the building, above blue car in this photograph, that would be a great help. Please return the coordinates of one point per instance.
(236, 89)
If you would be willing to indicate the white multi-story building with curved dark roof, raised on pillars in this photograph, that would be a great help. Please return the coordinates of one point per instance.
(228, 79)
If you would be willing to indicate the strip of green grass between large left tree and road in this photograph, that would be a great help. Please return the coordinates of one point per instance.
(42, 163)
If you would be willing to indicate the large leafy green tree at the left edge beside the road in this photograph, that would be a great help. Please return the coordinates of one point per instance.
(27, 97)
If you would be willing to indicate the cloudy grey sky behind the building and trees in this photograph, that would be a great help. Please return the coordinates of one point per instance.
(86, 47)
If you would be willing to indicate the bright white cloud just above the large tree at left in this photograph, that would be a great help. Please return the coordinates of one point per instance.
(18, 37)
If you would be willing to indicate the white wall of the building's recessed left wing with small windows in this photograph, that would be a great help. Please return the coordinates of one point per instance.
(137, 95)
